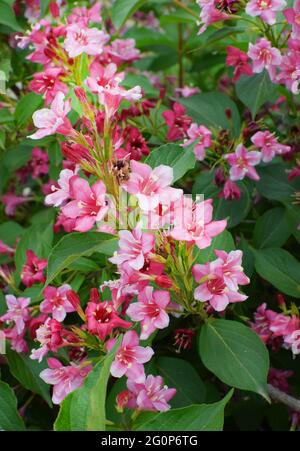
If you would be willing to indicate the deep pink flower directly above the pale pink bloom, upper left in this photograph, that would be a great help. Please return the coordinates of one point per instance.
(48, 83)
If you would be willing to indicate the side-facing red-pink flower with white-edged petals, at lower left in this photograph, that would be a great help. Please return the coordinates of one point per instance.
(49, 335)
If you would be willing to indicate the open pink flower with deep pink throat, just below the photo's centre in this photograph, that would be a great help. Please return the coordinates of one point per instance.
(150, 310)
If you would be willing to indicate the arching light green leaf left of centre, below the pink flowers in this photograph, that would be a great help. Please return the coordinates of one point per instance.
(75, 245)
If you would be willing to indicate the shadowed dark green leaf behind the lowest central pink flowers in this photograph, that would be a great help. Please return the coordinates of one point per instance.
(180, 374)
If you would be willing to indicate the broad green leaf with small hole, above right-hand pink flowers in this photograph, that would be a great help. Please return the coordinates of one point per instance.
(209, 108)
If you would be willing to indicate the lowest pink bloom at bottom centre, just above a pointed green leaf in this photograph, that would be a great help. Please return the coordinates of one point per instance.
(151, 394)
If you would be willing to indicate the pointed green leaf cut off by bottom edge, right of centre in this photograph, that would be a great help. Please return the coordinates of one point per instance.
(204, 417)
